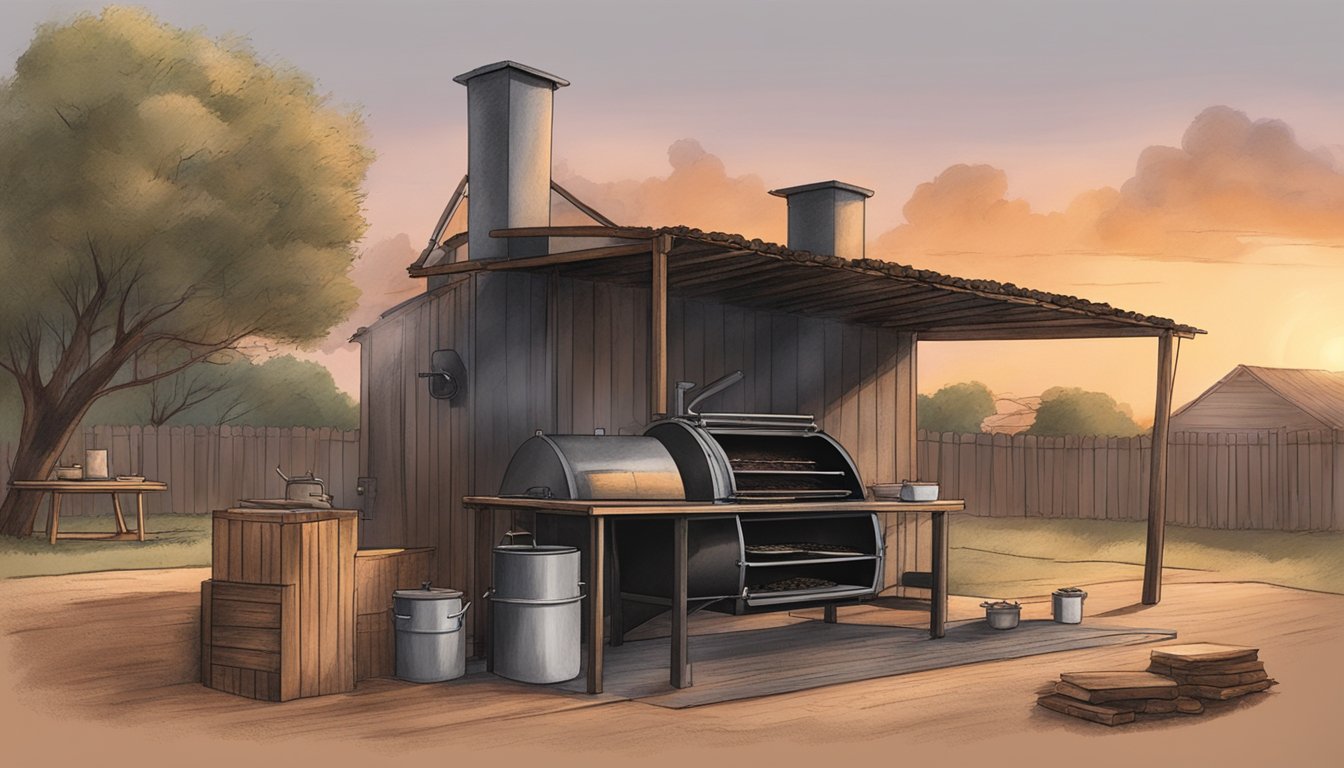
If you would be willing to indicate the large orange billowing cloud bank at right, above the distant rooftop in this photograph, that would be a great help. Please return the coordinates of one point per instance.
(1230, 180)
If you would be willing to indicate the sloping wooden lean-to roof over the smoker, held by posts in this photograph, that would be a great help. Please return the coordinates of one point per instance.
(869, 293)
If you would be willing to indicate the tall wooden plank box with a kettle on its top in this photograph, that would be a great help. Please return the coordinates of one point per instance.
(279, 617)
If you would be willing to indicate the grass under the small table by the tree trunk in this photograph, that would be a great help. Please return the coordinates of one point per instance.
(174, 541)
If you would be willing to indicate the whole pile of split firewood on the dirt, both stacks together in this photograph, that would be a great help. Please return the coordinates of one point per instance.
(1177, 680)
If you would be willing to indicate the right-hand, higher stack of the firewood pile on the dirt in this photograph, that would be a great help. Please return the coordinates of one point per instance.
(1212, 672)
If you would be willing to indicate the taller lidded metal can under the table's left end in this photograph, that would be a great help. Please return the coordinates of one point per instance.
(537, 613)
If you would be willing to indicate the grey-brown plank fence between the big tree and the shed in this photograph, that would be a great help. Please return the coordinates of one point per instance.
(212, 467)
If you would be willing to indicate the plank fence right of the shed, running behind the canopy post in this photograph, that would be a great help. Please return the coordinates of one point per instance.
(1280, 481)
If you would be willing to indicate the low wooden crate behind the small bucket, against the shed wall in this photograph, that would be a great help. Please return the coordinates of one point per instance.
(378, 574)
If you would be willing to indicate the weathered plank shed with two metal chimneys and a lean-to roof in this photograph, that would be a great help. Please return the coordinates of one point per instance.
(569, 330)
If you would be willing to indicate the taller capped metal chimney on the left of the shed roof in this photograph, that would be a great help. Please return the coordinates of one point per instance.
(509, 157)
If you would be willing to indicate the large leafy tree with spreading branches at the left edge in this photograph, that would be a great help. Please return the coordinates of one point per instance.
(163, 198)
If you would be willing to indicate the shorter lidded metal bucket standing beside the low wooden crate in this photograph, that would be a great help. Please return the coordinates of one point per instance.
(431, 644)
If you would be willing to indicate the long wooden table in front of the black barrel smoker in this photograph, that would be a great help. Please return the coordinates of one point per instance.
(681, 513)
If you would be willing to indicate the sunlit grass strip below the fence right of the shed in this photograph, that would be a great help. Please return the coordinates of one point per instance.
(1018, 558)
